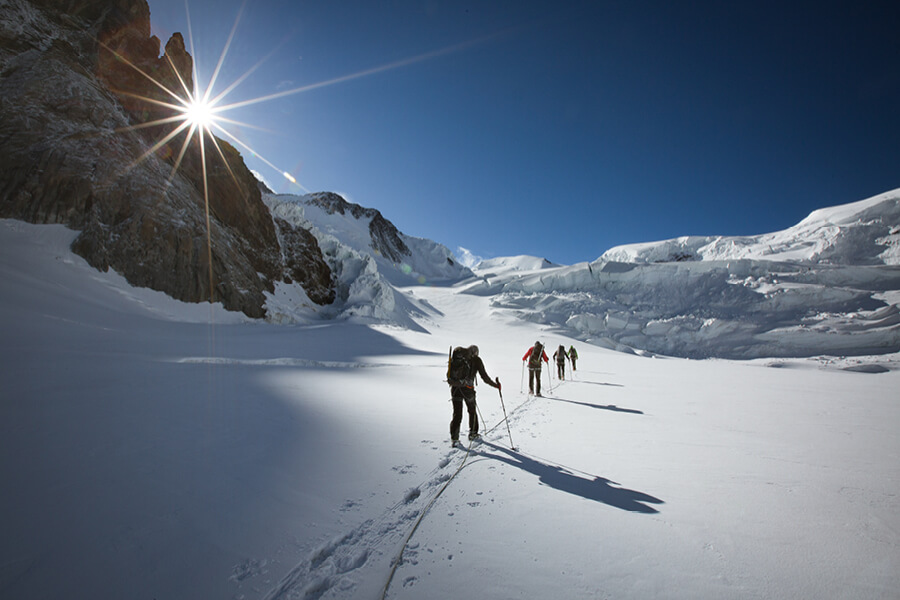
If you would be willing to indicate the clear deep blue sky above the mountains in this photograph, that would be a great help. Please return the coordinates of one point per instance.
(561, 129)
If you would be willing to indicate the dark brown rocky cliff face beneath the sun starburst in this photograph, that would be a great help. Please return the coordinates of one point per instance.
(70, 94)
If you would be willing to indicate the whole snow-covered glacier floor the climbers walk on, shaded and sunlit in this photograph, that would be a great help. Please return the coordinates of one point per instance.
(152, 449)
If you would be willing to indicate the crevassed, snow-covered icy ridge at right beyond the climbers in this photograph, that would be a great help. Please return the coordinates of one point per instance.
(829, 285)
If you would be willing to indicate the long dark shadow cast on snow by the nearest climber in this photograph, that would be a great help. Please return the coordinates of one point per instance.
(598, 489)
